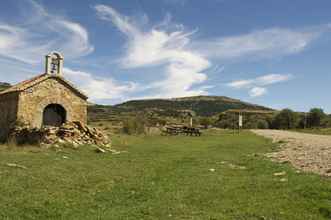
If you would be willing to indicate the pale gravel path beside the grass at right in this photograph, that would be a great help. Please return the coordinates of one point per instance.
(307, 152)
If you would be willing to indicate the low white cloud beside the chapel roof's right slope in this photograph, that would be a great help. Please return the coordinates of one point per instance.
(100, 88)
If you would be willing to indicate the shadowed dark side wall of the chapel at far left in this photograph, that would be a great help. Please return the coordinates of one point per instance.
(8, 113)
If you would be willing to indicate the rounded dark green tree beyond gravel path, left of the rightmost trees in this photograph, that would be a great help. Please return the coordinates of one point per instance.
(286, 119)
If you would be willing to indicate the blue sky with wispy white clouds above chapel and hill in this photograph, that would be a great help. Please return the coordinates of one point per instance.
(273, 53)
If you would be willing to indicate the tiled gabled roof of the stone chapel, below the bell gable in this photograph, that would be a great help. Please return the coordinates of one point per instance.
(38, 79)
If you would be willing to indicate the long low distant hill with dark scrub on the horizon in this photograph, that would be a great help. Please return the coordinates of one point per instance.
(201, 105)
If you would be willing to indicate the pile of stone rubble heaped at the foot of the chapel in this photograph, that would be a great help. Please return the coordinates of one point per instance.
(73, 134)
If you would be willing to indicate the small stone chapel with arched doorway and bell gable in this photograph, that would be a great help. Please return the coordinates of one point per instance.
(45, 100)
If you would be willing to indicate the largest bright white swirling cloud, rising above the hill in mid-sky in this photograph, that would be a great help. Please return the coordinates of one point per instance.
(163, 44)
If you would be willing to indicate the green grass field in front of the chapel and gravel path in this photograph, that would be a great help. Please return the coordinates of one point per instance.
(217, 176)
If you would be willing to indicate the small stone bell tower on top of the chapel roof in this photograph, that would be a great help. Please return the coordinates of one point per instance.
(54, 64)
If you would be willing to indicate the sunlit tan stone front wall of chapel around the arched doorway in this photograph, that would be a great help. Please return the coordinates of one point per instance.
(34, 100)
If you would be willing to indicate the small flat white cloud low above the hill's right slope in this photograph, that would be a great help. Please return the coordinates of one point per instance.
(257, 86)
